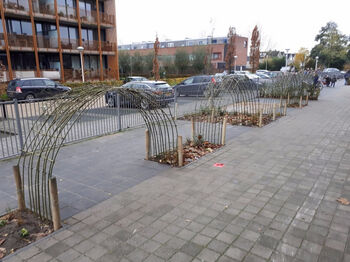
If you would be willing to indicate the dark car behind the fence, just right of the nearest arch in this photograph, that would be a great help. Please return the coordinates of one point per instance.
(194, 86)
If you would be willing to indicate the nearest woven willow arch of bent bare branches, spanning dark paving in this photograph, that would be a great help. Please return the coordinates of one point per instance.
(49, 131)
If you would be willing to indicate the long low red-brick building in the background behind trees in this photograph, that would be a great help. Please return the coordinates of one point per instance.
(216, 45)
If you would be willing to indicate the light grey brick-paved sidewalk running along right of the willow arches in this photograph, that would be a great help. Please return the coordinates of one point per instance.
(274, 200)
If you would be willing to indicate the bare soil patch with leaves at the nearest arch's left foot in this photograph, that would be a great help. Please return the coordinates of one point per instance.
(19, 229)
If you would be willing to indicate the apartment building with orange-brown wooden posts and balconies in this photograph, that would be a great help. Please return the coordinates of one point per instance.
(40, 38)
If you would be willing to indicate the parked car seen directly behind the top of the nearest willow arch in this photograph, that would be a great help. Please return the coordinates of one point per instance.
(163, 91)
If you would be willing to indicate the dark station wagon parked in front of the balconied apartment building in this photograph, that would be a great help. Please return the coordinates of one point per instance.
(32, 88)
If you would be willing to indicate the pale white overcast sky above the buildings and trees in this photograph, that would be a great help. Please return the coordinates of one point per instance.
(283, 24)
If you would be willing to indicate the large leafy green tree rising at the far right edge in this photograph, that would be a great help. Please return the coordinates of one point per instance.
(332, 47)
